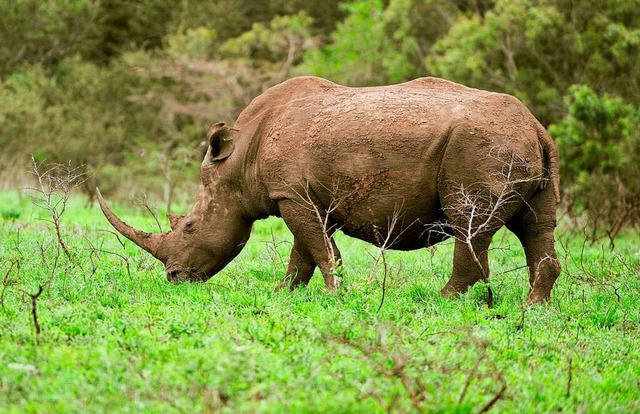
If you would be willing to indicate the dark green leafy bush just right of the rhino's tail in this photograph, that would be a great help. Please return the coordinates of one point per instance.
(599, 142)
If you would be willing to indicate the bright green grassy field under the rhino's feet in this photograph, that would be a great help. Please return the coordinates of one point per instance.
(116, 337)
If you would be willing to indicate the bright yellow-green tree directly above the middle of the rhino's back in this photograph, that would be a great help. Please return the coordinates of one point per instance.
(377, 44)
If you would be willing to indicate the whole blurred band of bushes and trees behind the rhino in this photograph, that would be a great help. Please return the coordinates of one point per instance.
(116, 85)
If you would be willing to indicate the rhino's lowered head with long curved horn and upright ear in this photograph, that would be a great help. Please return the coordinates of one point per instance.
(214, 231)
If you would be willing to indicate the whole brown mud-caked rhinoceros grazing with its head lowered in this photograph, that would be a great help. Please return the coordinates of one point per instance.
(401, 166)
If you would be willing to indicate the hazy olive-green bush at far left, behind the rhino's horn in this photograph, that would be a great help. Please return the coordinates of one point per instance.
(90, 116)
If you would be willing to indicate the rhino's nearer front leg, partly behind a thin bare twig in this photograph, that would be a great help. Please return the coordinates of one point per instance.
(313, 235)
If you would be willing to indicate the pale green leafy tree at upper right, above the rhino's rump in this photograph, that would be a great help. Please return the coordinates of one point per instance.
(537, 50)
